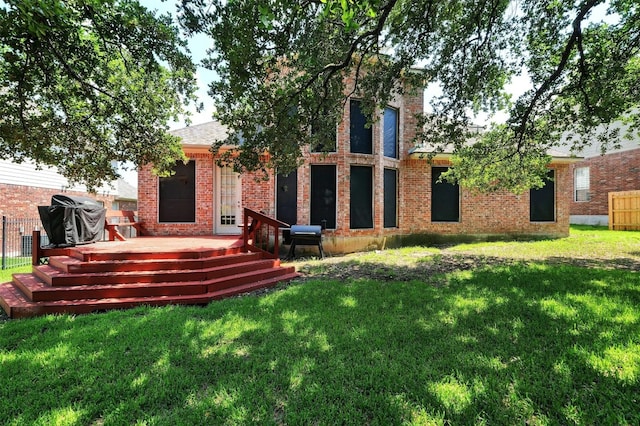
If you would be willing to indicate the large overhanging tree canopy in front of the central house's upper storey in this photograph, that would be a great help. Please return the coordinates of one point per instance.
(281, 67)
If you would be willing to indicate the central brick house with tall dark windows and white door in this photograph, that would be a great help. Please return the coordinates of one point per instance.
(376, 190)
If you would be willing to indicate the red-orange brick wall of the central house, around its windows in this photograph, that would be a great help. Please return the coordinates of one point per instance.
(498, 213)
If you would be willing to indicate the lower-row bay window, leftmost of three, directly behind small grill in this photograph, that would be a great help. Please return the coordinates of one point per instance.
(323, 195)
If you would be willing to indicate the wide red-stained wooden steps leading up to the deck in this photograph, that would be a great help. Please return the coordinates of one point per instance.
(81, 282)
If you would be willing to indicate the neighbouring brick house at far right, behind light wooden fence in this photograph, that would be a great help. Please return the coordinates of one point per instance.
(597, 175)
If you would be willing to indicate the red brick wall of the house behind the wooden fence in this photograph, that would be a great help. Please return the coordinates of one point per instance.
(612, 172)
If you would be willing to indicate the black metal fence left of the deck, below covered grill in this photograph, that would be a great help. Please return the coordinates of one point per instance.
(16, 241)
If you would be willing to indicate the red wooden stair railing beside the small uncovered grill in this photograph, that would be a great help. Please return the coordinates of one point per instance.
(262, 233)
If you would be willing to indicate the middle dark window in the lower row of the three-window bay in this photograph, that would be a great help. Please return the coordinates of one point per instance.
(361, 204)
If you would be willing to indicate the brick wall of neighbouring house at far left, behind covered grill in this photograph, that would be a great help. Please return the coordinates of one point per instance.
(18, 201)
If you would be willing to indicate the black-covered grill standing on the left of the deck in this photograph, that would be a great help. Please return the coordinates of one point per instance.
(72, 220)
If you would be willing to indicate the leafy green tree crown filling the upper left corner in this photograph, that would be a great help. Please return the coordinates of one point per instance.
(84, 83)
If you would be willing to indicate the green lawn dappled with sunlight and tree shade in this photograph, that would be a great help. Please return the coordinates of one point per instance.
(533, 341)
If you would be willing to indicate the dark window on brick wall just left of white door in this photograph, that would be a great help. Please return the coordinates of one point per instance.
(177, 195)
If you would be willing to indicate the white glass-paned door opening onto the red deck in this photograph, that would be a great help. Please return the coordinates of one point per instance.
(228, 202)
